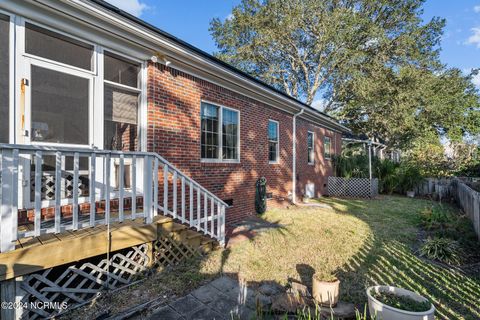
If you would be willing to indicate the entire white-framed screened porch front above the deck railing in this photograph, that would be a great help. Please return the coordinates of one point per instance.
(72, 85)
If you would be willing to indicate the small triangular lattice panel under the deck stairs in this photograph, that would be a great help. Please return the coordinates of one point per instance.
(168, 251)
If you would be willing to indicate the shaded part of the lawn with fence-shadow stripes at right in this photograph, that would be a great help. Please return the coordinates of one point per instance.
(387, 258)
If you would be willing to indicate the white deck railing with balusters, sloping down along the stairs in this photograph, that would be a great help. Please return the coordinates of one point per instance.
(80, 186)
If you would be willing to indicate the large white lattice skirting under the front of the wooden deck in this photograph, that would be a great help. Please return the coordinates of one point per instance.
(77, 284)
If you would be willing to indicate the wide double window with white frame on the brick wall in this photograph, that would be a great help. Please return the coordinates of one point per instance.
(220, 133)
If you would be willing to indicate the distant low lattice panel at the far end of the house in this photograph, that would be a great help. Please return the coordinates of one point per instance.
(352, 187)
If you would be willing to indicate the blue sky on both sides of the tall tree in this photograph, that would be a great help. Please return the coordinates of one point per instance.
(189, 20)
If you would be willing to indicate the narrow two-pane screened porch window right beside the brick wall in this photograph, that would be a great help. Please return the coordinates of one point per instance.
(121, 100)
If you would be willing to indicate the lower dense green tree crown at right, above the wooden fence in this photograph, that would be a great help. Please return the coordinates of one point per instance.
(411, 104)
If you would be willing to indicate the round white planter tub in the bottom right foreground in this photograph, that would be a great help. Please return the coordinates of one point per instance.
(386, 312)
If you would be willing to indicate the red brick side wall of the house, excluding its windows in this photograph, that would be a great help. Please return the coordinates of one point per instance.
(174, 132)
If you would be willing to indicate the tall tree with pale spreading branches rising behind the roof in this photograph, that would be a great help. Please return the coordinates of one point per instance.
(306, 46)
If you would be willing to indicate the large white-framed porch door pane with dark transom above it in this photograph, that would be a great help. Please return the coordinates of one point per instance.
(61, 95)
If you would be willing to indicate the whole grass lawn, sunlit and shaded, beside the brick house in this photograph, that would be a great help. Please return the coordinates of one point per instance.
(364, 242)
